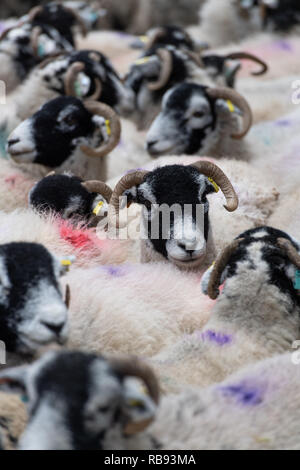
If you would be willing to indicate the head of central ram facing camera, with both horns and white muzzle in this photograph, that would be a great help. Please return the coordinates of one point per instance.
(175, 224)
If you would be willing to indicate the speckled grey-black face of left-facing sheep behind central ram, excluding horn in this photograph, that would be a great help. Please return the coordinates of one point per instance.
(186, 123)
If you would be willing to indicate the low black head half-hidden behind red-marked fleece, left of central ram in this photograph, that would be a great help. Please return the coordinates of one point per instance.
(65, 195)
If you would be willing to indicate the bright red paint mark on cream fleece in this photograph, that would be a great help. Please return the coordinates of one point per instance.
(81, 239)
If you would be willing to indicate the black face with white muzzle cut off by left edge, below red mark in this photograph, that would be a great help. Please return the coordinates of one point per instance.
(32, 310)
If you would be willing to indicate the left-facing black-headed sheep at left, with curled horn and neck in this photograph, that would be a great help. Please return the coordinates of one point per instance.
(81, 136)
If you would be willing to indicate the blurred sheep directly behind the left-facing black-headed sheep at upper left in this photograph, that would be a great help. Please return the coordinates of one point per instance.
(83, 74)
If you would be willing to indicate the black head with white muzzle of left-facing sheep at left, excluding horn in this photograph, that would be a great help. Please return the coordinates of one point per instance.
(55, 133)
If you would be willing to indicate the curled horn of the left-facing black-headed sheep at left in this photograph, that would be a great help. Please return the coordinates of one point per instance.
(103, 110)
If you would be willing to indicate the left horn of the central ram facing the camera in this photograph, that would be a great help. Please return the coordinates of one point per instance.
(128, 181)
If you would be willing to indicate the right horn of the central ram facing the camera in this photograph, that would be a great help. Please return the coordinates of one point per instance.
(211, 170)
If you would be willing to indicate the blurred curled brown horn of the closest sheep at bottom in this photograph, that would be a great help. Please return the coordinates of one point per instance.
(135, 368)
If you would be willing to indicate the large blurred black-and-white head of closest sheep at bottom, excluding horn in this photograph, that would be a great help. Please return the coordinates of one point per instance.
(86, 402)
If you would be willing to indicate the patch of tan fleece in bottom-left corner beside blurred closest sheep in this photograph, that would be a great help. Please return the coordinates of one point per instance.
(13, 419)
